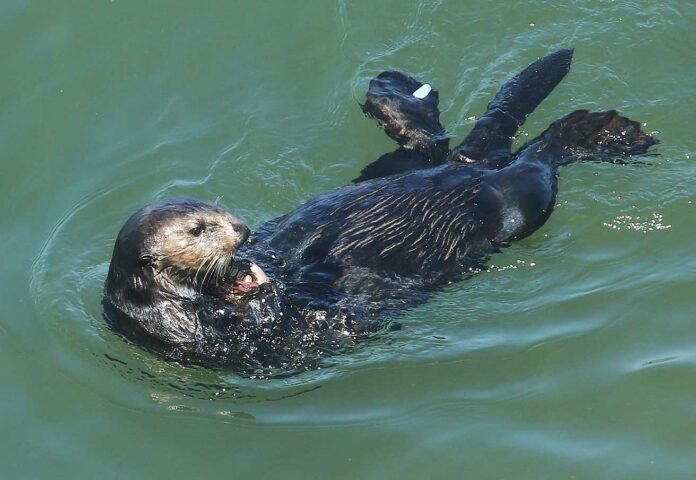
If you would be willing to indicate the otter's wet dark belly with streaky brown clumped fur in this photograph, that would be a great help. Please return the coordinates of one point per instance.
(429, 224)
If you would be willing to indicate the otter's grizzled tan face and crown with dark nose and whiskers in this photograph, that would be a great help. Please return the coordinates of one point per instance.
(184, 242)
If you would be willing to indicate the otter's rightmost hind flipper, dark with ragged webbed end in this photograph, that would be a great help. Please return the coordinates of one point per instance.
(597, 136)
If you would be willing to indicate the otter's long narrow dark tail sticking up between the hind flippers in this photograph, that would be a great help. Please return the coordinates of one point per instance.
(490, 140)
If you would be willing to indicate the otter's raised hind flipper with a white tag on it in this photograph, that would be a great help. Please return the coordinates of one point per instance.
(407, 111)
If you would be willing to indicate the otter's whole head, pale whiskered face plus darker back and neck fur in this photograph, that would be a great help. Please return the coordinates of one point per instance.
(175, 247)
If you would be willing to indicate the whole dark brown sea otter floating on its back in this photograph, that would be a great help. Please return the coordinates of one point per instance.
(337, 268)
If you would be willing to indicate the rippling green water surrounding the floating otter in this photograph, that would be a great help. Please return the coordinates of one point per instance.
(574, 357)
